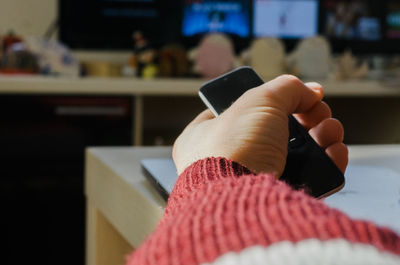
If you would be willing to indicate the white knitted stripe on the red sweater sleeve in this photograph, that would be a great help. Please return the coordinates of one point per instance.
(309, 252)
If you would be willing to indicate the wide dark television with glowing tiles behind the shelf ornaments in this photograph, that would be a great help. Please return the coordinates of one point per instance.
(365, 26)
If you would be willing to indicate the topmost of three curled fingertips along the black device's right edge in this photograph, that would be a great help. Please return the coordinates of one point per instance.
(315, 115)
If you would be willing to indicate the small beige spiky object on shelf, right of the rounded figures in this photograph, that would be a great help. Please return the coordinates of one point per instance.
(349, 68)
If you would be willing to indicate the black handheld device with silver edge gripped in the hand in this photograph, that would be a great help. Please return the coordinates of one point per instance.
(308, 167)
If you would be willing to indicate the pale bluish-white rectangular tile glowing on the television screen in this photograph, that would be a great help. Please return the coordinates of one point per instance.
(285, 18)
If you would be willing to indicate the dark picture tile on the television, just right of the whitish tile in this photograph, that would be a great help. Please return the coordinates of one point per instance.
(352, 20)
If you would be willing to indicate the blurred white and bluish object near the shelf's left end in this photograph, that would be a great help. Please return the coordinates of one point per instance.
(54, 58)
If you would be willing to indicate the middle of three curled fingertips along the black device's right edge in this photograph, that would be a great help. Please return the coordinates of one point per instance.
(327, 132)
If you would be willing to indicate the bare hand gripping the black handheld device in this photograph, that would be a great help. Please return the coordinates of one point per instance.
(254, 130)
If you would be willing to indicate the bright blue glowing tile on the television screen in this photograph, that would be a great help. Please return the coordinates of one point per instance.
(230, 17)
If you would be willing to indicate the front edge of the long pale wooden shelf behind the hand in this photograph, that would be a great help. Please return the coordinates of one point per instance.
(162, 86)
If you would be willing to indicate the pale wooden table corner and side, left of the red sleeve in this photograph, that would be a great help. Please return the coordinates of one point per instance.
(122, 206)
